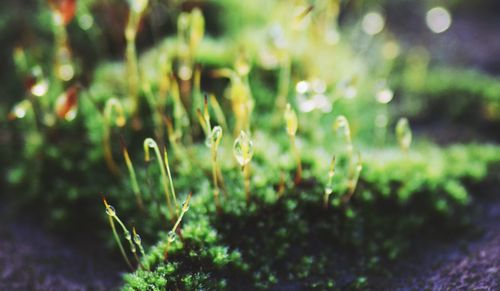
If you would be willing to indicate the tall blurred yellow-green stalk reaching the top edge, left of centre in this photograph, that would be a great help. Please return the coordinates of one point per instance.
(137, 9)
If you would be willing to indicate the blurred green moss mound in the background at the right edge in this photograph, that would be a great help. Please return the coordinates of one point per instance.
(474, 96)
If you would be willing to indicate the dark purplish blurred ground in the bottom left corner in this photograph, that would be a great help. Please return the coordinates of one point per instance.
(32, 258)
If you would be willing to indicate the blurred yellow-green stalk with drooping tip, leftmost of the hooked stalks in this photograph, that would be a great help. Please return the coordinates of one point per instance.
(113, 115)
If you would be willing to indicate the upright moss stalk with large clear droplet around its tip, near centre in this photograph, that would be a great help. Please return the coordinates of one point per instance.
(243, 152)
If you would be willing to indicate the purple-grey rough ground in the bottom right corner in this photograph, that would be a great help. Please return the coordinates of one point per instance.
(469, 263)
